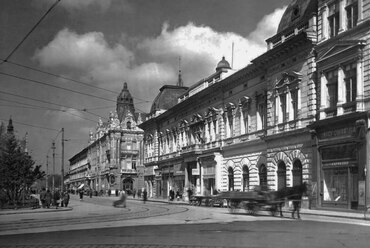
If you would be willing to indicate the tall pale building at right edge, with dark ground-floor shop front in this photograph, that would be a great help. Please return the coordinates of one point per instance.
(343, 88)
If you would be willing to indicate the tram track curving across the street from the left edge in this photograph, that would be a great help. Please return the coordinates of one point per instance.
(153, 210)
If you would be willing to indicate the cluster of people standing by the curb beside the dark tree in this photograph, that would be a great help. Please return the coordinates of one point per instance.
(51, 198)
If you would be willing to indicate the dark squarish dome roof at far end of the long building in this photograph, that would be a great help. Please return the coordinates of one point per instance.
(167, 97)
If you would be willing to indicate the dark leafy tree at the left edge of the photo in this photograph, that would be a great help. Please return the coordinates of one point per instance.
(17, 170)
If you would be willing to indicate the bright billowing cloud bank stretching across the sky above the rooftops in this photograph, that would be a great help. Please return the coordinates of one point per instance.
(200, 48)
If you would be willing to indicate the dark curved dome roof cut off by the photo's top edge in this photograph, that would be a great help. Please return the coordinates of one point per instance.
(297, 12)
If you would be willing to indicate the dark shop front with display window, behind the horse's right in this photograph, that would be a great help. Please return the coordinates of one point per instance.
(341, 163)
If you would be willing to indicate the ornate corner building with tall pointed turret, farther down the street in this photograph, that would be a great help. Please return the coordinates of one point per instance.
(113, 159)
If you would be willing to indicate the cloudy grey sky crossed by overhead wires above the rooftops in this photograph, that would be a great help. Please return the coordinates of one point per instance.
(70, 68)
